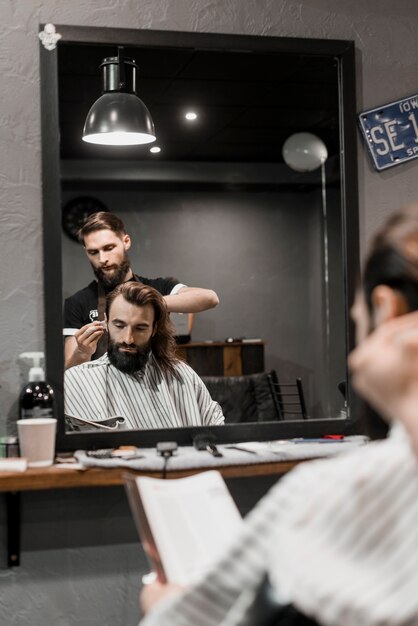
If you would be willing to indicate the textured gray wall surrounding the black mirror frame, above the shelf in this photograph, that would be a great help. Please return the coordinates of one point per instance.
(386, 37)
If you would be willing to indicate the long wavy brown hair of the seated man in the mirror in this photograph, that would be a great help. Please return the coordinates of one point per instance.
(163, 342)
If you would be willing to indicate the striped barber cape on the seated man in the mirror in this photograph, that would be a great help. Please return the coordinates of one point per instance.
(149, 399)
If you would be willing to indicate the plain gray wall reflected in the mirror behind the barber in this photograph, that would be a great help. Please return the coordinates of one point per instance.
(259, 251)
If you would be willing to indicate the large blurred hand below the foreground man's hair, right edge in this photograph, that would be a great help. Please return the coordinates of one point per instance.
(385, 370)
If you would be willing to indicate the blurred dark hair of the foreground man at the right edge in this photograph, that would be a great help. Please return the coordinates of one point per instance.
(393, 258)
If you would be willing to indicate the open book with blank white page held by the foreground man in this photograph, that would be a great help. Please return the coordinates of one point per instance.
(185, 524)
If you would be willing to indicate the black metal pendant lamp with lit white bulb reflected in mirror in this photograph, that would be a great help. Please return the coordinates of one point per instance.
(119, 117)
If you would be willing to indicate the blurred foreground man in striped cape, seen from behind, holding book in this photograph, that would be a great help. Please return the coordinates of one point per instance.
(337, 539)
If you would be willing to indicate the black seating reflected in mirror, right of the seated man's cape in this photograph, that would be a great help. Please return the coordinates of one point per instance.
(255, 397)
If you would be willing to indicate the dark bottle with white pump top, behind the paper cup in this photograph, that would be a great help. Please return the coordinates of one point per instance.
(37, 397)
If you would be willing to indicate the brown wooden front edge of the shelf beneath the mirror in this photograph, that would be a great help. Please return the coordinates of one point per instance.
(60, 478)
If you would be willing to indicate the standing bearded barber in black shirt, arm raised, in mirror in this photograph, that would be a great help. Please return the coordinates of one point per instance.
(106, 244)
